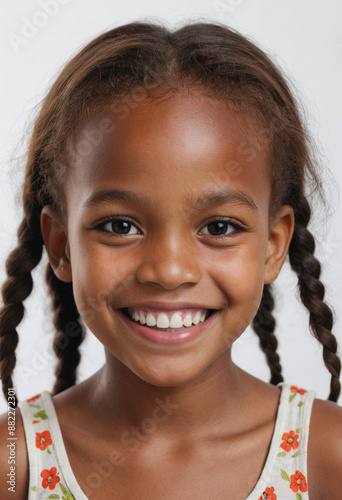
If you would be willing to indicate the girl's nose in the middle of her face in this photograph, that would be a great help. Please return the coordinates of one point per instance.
(170, 262)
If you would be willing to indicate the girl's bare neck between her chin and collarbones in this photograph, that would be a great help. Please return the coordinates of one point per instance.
(199, 406)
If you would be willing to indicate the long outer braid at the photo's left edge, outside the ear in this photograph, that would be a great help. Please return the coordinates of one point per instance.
(18, 286)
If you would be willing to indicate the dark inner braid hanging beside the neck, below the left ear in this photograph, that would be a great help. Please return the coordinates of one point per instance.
(69, 331)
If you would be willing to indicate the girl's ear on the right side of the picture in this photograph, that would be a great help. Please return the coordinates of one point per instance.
(280, 236)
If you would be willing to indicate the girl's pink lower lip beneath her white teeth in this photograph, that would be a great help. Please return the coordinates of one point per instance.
(163, 337)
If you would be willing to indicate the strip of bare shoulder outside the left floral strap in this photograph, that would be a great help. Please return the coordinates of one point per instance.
(13, 459)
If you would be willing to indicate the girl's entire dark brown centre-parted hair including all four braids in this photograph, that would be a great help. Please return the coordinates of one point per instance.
(119, 68)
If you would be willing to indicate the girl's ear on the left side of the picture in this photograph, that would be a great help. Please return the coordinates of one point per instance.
(56, 243)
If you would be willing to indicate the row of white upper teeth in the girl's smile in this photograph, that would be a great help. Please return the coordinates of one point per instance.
(165, 320)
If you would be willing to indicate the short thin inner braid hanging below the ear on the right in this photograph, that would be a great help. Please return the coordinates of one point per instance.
(264, 325)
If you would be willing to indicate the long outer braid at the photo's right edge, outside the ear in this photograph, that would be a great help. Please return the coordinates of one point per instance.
(312, 291)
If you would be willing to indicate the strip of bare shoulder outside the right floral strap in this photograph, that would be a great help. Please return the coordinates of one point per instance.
(325, 450)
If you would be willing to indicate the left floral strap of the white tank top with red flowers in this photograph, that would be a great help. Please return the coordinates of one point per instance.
(50, 472)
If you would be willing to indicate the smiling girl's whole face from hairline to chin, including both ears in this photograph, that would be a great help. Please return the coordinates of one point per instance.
(167, 223)
